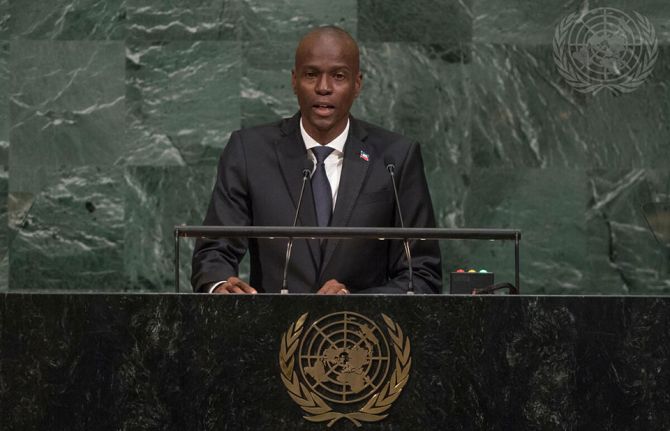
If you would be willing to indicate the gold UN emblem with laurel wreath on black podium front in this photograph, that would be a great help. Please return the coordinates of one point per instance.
(343, 360)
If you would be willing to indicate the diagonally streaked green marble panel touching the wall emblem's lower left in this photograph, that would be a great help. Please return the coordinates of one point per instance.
(523, 113)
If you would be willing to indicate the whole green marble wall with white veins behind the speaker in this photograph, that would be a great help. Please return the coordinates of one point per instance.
(113, 113)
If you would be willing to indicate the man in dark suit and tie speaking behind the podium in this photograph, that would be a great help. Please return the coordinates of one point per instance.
(260, 176)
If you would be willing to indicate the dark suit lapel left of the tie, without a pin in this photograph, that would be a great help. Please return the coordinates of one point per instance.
(291, 155)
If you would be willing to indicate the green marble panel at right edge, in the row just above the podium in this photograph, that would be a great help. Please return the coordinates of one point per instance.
(623, 253)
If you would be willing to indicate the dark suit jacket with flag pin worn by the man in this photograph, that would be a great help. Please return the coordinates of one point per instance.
(258, 183)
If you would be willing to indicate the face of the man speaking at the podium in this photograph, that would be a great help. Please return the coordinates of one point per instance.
(326, 80)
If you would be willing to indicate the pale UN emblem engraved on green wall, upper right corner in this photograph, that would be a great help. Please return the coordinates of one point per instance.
(605, 48)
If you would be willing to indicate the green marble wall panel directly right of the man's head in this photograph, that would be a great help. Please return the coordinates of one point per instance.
(421, 91)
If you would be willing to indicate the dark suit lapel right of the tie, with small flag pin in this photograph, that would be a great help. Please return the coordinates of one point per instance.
(354, 170)
